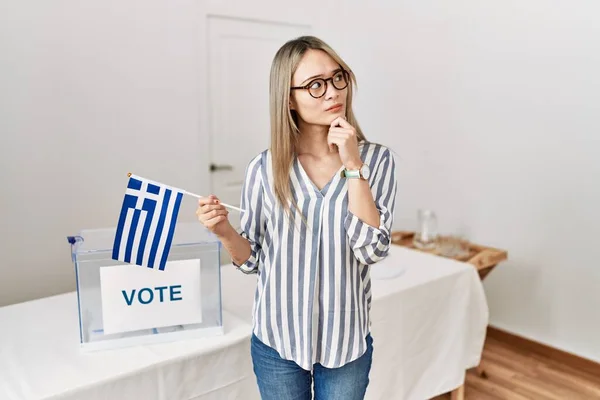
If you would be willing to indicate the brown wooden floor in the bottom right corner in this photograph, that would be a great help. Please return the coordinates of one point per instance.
(514, 372)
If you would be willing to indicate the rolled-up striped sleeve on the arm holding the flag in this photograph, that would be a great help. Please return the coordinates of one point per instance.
(253, 218)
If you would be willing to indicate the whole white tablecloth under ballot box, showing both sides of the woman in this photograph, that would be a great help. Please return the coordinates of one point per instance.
(429, 317)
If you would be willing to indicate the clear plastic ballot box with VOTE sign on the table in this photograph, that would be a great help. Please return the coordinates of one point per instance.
(123, 304)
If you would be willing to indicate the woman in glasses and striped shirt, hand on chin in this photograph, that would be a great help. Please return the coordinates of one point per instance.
(318, 212)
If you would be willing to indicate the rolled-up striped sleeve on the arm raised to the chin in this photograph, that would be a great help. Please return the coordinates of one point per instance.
(368, 243)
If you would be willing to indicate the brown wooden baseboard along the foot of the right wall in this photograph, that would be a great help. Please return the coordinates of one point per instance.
(544, 350)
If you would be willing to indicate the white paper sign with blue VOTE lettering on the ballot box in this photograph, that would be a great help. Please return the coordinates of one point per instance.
(136, 297)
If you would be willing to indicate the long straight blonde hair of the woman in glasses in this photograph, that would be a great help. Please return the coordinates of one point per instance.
(284, 121)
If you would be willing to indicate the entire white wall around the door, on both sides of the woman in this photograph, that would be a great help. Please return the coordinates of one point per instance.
(492, 110)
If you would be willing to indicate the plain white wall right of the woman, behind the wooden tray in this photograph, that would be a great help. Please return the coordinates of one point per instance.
(494, 110)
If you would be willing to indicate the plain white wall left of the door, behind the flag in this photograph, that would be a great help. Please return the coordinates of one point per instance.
(90, 91)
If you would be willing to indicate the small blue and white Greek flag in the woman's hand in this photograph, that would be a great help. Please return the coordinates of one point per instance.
(147, 222)
